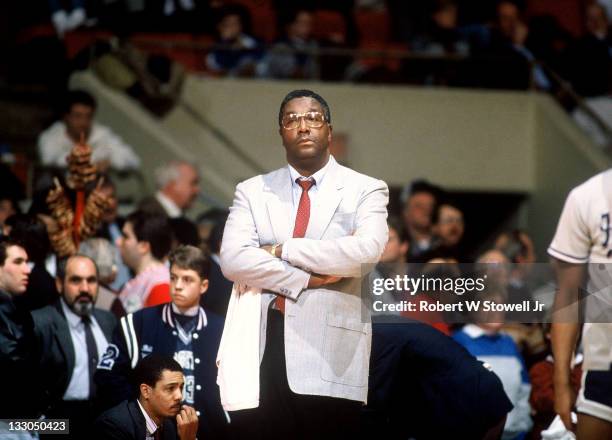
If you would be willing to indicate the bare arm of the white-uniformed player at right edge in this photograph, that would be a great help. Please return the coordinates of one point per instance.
(564, 333)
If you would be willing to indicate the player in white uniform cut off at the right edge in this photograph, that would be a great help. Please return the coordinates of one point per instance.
(583, 246)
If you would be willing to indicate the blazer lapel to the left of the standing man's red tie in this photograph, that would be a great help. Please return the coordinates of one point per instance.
(278, 199)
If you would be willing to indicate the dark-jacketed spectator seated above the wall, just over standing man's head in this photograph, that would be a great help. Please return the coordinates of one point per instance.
(285, 59)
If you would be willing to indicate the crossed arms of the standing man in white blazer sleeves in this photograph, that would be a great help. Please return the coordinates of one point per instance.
(309, 263)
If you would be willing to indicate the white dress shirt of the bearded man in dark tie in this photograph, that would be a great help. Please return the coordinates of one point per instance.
(78, 387)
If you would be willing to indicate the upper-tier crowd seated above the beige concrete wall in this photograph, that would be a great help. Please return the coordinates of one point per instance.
(498, 41)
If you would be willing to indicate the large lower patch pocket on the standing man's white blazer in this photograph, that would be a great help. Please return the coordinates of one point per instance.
(345, 351)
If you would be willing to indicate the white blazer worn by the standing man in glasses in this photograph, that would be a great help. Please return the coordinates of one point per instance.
(327, 331)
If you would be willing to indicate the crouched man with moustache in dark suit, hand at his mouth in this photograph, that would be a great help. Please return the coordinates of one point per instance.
(157, 413)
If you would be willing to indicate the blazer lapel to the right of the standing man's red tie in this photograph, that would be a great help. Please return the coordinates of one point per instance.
(326, 202)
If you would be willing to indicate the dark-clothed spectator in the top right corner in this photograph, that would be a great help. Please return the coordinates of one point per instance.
(590, 58)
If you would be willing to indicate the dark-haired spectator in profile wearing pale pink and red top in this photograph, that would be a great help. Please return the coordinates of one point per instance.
(144, 246)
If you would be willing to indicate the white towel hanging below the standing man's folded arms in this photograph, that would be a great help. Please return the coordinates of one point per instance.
(238, 356)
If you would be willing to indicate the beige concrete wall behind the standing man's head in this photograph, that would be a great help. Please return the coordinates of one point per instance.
(461, 139)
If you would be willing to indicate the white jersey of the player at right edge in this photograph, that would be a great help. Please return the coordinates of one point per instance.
(583, 236)
